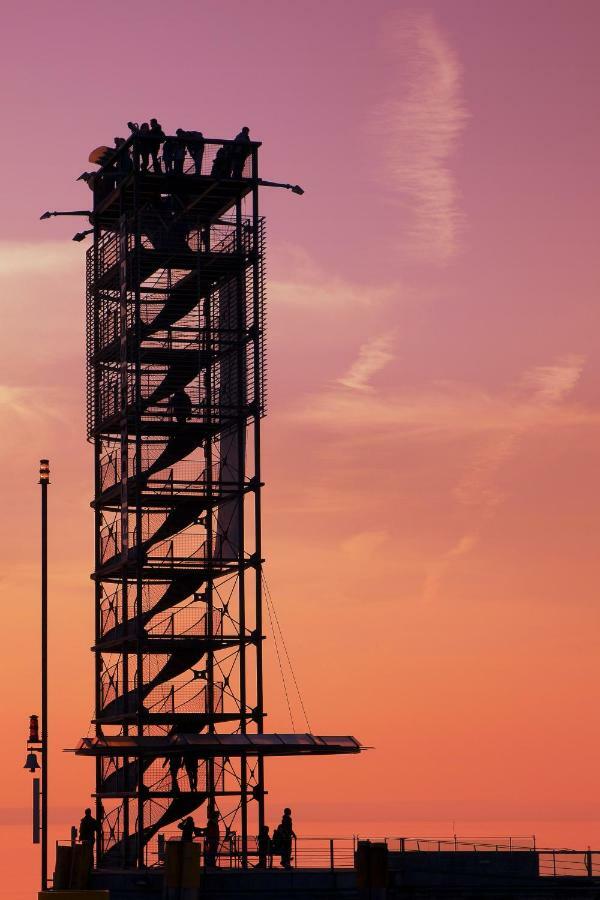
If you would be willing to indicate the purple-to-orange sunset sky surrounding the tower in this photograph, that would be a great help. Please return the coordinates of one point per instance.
(432, 511)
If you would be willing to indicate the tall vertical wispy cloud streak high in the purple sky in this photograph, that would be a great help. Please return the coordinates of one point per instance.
(419, 131)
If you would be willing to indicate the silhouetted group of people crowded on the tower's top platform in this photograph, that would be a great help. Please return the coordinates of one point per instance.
(229, 160)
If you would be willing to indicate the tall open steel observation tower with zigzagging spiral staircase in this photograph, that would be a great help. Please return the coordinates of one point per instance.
(176, 390)
